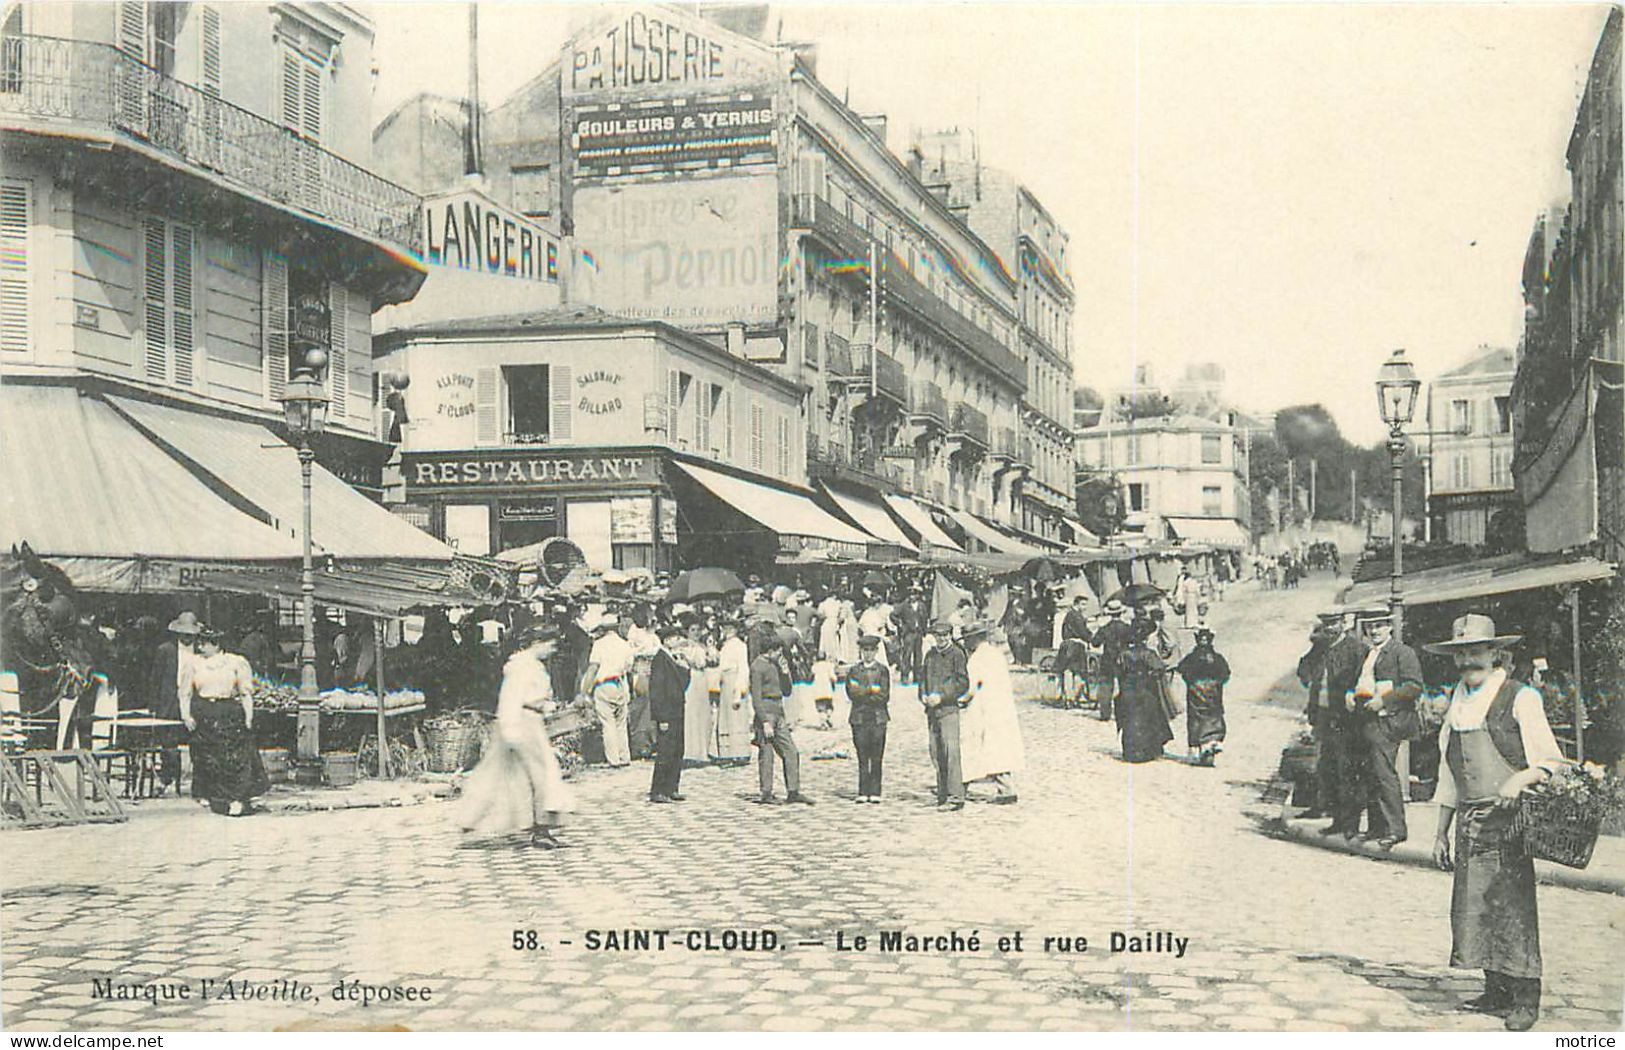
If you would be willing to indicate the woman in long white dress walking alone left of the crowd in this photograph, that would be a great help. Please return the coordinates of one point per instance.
(519, 784)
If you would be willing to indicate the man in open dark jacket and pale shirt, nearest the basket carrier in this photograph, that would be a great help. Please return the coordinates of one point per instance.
(1385, 696)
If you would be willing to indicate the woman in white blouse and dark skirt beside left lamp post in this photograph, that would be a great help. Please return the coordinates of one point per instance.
(219, 711)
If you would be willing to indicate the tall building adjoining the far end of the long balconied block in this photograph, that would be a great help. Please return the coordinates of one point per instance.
(1008, 215)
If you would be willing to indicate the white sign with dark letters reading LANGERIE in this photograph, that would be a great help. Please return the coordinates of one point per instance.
(470, 232)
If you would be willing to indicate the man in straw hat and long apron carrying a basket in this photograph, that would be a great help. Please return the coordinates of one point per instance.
(1496, 742)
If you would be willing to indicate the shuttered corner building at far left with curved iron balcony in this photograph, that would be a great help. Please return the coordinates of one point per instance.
(188, 201)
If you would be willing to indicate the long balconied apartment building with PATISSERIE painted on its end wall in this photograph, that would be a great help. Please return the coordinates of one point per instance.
(708, 180)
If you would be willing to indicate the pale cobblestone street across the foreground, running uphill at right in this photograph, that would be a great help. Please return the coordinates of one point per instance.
(1280, 935)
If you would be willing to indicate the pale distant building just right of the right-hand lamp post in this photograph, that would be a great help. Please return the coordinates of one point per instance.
(1470, 448)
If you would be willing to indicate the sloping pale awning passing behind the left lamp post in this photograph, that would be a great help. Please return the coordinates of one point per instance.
(253, 466)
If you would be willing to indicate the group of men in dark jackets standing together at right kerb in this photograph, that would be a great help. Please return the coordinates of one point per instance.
(1363, 706)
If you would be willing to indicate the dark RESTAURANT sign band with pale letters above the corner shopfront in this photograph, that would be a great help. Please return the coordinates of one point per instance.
(526, 471)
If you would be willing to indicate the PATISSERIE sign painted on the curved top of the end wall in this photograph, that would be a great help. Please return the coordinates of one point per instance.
(654, 48)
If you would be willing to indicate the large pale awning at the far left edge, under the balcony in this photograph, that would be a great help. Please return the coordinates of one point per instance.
(79, 482)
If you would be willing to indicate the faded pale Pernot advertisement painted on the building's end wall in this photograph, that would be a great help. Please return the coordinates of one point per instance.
(690, 253)
